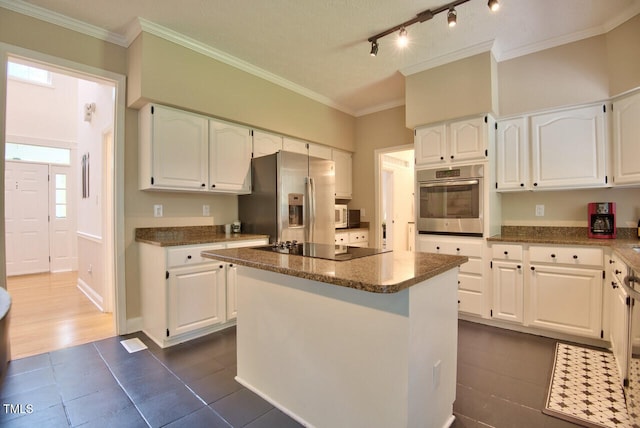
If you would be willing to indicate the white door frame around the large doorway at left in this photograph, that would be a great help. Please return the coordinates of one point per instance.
(115, 239)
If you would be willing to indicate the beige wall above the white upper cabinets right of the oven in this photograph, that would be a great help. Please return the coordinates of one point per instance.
(575, 73)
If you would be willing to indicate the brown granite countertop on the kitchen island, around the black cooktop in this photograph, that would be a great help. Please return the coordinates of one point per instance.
(388, 272)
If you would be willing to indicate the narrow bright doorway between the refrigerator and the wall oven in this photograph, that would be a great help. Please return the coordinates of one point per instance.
(395, 198)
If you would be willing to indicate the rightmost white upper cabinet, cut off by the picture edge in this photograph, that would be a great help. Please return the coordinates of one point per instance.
(626, 146)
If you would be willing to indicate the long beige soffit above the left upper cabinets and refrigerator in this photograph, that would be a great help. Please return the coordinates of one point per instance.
(164, 72)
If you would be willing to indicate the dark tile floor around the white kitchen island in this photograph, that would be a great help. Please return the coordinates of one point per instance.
(502, 382)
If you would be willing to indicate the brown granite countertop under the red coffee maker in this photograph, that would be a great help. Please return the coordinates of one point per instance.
(622, 245)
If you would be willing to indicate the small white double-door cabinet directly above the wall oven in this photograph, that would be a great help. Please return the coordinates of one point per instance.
(452, 142)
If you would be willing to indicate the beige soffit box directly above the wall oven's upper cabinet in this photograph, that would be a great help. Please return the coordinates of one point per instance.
(458, 89)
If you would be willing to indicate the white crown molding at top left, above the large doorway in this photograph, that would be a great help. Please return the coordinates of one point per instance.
(46, 15)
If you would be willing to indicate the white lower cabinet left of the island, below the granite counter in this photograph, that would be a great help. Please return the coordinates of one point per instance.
(183, 295)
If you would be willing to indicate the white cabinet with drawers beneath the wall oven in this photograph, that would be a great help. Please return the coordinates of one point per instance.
(471, 278)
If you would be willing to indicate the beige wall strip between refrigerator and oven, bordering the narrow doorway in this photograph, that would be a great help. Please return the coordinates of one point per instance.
(374, 131)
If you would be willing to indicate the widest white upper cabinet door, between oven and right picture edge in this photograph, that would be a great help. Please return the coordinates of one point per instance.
(568, 148)
